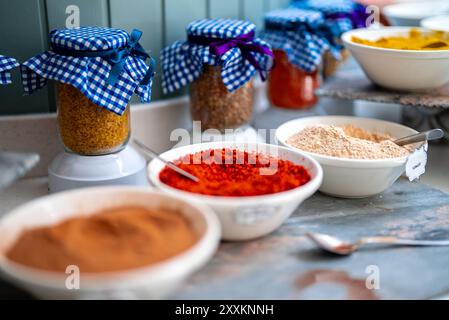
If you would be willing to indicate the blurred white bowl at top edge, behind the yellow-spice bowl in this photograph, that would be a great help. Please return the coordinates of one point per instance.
(411, 13)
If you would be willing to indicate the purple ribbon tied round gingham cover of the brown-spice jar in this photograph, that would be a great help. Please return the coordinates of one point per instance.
(219, 47)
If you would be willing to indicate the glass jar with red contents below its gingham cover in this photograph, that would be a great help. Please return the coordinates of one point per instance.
(291, 87)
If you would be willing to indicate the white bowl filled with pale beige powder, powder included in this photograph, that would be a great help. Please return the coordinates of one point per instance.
(358, 155)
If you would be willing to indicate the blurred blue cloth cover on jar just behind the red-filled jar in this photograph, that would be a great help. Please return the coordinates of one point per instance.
(329, 7)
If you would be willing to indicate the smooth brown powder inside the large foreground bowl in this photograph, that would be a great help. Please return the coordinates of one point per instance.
(111, 240)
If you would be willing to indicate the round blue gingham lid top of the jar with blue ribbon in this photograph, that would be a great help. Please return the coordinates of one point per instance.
(89, 38)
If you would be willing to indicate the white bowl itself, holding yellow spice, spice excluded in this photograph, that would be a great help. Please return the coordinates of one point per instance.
(410, 70)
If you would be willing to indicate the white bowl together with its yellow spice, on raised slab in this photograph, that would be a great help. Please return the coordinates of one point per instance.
(401, 58)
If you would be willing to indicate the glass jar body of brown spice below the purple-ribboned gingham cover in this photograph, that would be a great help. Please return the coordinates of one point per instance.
(216, 107)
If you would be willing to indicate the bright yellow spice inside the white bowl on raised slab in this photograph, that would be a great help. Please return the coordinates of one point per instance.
(416, 40)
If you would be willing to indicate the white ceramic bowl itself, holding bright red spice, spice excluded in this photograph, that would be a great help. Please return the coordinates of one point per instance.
(244, 218)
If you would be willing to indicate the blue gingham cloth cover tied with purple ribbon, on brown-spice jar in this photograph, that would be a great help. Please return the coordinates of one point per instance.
(182, 62)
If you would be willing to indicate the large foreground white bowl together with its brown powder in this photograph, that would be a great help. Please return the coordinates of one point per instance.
(106, 243)
